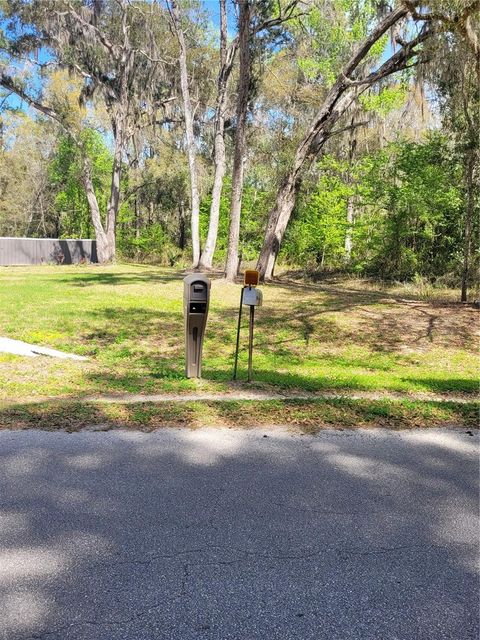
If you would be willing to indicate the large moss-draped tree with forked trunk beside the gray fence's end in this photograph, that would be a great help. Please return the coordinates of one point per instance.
(103, 44)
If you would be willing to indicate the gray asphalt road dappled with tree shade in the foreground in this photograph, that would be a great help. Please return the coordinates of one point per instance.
(226, 534)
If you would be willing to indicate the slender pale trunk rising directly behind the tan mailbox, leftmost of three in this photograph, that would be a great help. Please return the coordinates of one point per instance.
(191, 152)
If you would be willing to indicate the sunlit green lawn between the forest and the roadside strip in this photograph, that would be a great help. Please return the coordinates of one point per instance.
(128, 320)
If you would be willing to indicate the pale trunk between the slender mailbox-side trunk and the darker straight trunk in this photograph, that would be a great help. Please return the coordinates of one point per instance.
(219, 155)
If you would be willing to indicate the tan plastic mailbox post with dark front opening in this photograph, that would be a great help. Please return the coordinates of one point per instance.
(196, 298)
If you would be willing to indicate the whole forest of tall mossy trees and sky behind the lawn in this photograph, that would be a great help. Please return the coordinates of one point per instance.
(325, 136)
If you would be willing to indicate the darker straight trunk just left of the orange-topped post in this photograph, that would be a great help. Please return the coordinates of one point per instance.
(231, 266)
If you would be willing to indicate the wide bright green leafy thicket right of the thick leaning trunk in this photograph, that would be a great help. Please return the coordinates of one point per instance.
(408, 200)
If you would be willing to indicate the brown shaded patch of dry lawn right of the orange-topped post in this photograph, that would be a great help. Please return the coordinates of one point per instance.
(392, 327)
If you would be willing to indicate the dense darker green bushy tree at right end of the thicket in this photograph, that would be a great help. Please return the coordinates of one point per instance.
(410, 227)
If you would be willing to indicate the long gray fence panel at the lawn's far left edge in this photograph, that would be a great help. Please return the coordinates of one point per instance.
(18, 251)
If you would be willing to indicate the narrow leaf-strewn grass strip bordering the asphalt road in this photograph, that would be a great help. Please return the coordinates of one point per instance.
(300, 415)
